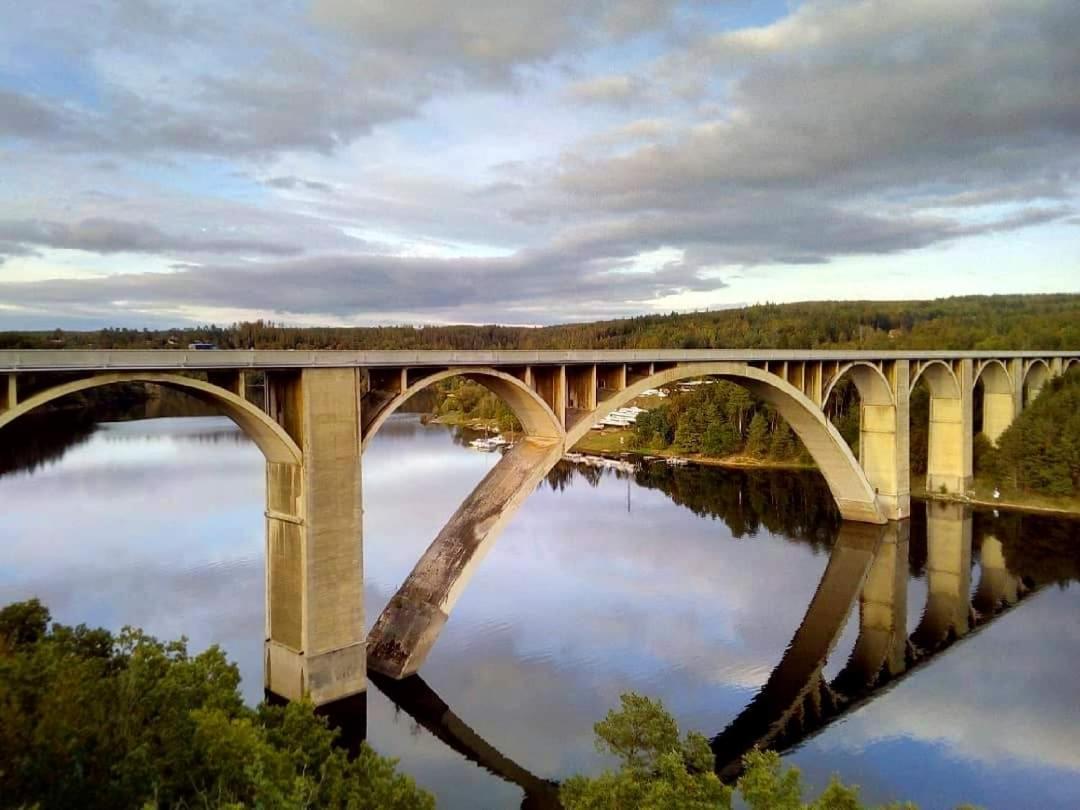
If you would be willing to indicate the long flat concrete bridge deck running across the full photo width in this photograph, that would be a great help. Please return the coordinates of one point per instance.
(171, 360)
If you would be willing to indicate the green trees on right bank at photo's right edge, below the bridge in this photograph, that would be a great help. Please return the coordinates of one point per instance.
(1041, 451)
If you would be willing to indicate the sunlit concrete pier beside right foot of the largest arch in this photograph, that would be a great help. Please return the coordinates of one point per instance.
(884, 438)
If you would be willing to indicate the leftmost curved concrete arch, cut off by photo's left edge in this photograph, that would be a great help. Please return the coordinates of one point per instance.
(271, 438)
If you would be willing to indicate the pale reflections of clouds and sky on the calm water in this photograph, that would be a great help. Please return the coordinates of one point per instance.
(578, 602)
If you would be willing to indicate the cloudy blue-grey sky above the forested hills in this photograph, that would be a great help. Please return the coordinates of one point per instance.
(366, 161)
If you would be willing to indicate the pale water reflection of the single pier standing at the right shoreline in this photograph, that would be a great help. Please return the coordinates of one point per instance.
(949, 575)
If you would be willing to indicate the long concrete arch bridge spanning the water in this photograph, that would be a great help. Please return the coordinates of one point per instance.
(318, 411)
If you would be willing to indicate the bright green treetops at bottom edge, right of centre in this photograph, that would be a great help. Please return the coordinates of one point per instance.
(660, 772)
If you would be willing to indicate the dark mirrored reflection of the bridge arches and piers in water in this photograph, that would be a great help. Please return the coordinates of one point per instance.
(869, 568)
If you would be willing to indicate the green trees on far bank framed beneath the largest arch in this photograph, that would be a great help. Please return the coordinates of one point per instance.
(719, 420)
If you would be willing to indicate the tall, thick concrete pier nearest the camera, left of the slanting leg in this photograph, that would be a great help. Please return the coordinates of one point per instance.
(315, 556)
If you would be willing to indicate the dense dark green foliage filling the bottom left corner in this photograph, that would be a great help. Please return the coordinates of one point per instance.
(92, 720)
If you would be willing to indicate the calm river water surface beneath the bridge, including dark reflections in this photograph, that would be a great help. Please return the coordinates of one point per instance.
(685, 585)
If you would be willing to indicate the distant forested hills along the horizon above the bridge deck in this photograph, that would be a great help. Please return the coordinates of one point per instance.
(973, 322)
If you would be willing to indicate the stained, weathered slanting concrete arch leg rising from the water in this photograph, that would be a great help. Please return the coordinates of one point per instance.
(407, 631)
